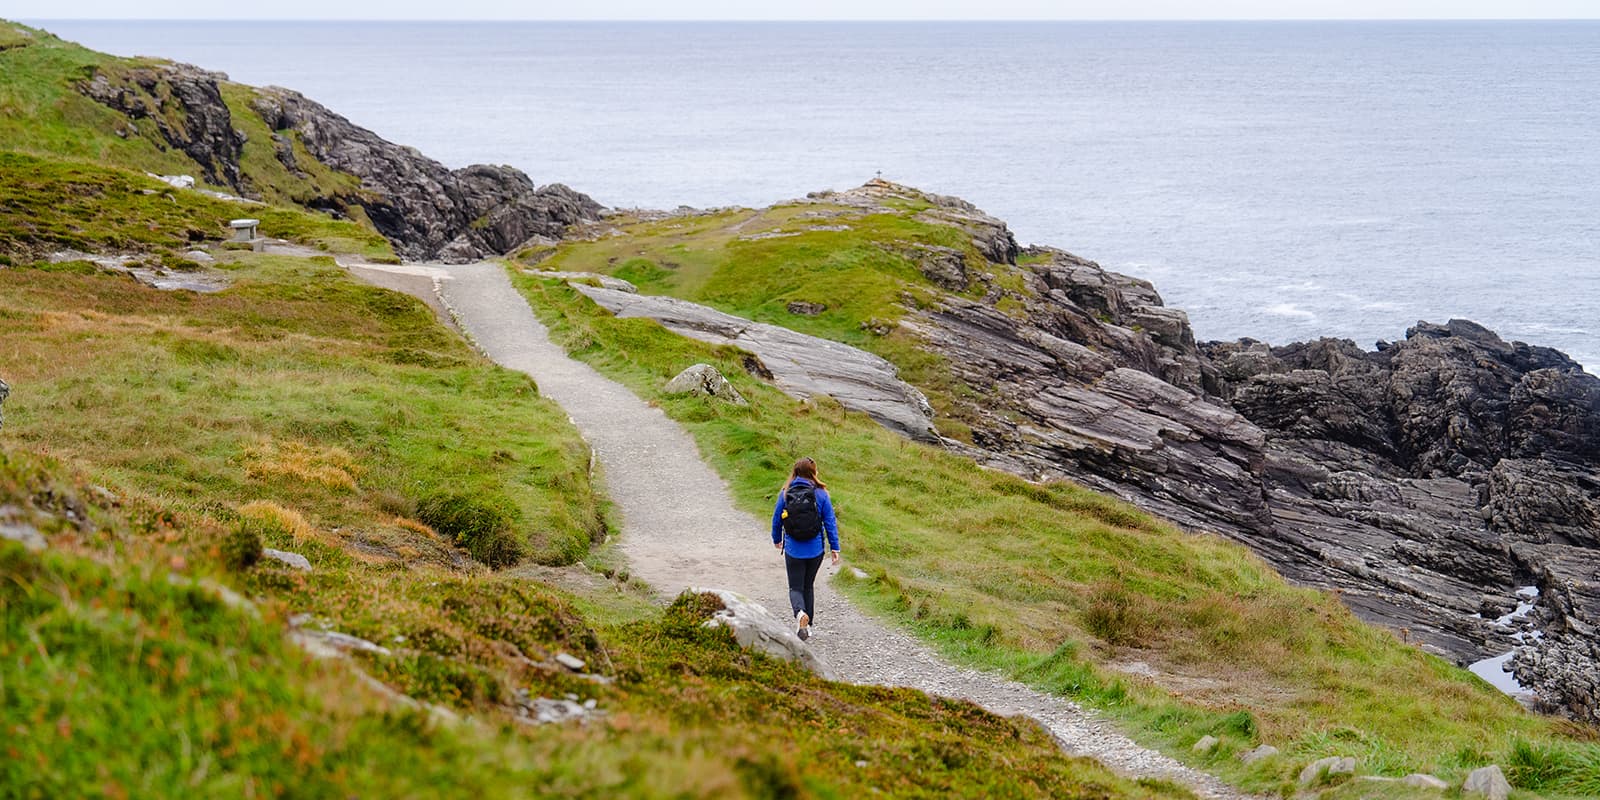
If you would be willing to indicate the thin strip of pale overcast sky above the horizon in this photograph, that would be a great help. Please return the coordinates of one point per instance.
(804, 10)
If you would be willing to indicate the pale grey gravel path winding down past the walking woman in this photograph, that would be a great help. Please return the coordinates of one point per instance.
(681, 529)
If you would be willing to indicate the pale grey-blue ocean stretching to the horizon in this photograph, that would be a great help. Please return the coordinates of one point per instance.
(1274, 180)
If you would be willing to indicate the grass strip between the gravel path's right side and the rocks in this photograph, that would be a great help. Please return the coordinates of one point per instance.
(1055, 585)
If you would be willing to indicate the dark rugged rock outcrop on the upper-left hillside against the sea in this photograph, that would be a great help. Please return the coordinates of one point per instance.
(425, 209)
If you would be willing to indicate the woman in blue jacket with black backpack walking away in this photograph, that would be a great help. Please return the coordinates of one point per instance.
(802, 516)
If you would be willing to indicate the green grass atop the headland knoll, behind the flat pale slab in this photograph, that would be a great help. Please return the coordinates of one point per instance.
(865, 274)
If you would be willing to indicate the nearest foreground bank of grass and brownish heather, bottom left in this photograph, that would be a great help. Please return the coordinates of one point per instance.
(129, 676)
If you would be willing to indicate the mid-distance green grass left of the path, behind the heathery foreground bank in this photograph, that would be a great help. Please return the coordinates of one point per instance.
(298, 386)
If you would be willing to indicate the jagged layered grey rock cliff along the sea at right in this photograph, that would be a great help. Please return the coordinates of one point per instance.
(1426, 481)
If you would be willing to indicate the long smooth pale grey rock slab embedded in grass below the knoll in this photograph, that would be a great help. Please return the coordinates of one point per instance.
(802, 366)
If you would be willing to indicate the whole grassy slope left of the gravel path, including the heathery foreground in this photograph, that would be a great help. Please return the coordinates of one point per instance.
(318, 415)
